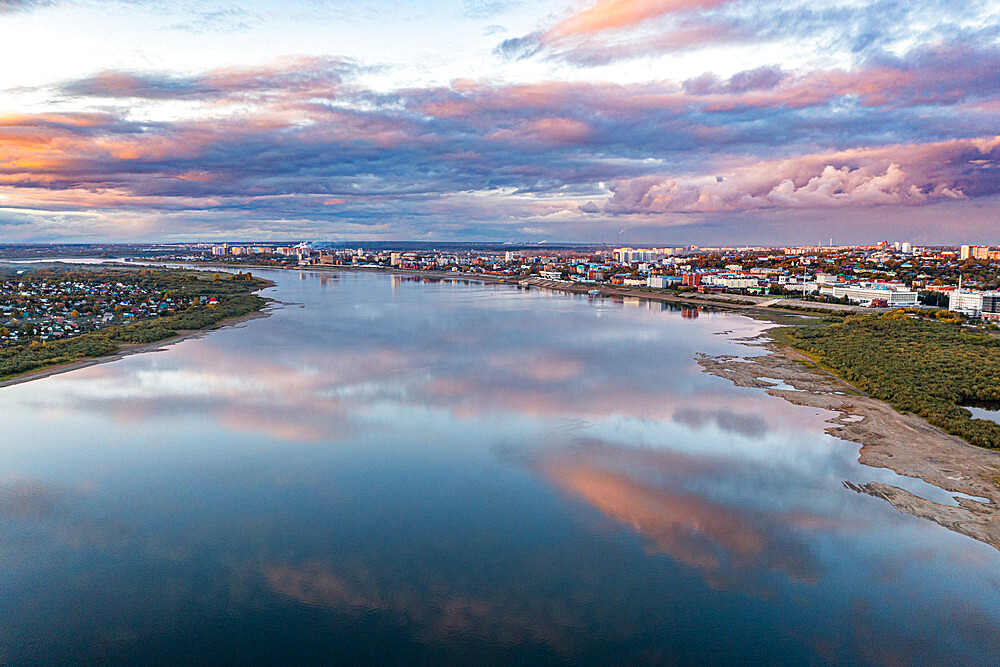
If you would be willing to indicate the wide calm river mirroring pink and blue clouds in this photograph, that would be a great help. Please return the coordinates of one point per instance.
(395, 470)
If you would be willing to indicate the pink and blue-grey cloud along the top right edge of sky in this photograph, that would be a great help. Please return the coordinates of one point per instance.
(615, 30)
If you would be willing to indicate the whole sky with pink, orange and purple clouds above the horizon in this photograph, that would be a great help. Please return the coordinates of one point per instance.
(664, 122)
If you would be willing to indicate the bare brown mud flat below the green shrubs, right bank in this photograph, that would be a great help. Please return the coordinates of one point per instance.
(903, 443)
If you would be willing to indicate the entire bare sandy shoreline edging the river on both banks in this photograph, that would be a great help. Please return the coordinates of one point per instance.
(903, 443)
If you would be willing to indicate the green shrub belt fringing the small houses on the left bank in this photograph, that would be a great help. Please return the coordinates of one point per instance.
(232, 296)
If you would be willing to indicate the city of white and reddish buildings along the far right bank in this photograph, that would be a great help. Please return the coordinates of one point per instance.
(882, 275)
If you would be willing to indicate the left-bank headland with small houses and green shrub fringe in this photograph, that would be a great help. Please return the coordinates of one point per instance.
(55, 317)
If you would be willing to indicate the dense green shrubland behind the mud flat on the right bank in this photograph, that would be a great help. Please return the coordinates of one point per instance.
(919, 366)
